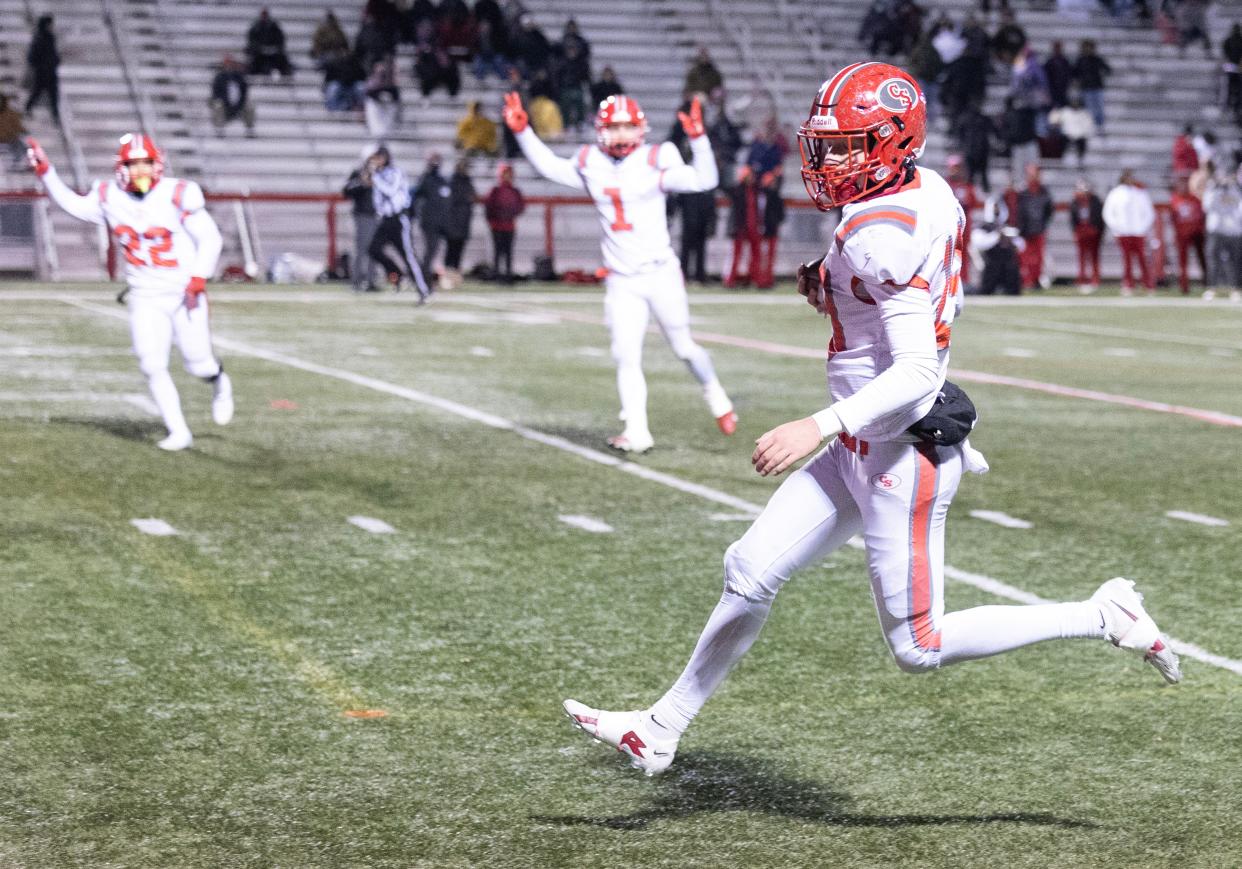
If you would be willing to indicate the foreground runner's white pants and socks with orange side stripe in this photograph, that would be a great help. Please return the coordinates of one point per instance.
(897, 497)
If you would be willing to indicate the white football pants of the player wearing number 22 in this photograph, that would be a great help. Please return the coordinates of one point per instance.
(155, 325)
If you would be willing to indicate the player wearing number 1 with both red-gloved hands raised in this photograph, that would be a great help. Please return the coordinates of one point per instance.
(629, 182)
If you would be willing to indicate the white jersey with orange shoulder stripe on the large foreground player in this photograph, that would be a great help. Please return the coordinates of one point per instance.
(895, 277)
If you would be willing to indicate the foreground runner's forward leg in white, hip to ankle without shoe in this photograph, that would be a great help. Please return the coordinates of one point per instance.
(809, 517)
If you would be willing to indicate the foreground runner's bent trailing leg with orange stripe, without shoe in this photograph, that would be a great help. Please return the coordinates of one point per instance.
(905, 492)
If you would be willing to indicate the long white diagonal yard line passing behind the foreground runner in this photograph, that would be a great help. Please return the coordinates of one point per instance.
(705, 492)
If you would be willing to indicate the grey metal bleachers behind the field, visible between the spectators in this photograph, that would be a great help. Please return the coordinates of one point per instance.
(148, 64)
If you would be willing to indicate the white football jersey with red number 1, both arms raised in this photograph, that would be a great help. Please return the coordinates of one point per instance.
(629, 194)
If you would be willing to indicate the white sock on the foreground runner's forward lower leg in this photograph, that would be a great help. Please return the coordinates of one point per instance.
(731, 630)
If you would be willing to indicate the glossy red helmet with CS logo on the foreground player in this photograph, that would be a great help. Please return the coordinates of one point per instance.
(868, 126)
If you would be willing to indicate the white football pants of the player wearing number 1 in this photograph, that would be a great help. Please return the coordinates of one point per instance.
(629, 302)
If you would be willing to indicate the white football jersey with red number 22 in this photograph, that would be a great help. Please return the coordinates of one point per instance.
(165, 238)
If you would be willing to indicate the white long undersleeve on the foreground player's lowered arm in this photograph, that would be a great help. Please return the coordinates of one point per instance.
(913, 378)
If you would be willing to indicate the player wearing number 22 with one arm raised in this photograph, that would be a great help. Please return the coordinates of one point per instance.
(171, 246)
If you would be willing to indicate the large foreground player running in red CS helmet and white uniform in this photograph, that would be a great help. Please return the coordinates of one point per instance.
(896, 430)
